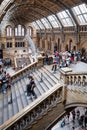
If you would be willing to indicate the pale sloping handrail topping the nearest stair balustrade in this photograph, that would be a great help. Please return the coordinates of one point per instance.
(19, 116)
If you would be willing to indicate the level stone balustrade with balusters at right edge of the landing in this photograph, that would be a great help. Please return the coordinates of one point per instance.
(73, 78)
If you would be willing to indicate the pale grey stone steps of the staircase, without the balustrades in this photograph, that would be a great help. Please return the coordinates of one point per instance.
(44, 80)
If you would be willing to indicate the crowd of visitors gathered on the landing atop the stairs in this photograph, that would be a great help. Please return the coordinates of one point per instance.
(65, 58)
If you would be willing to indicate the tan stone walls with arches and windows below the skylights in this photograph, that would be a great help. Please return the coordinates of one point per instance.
(14, 41)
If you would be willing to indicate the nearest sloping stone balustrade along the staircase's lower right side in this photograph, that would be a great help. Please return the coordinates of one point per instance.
(36, 110)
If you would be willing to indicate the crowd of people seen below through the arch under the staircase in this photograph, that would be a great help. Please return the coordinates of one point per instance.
(77, 117)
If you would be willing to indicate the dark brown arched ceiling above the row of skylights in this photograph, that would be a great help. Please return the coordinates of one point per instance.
(30, 10)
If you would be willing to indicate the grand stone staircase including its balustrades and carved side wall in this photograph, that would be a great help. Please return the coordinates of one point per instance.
(53, 98)
